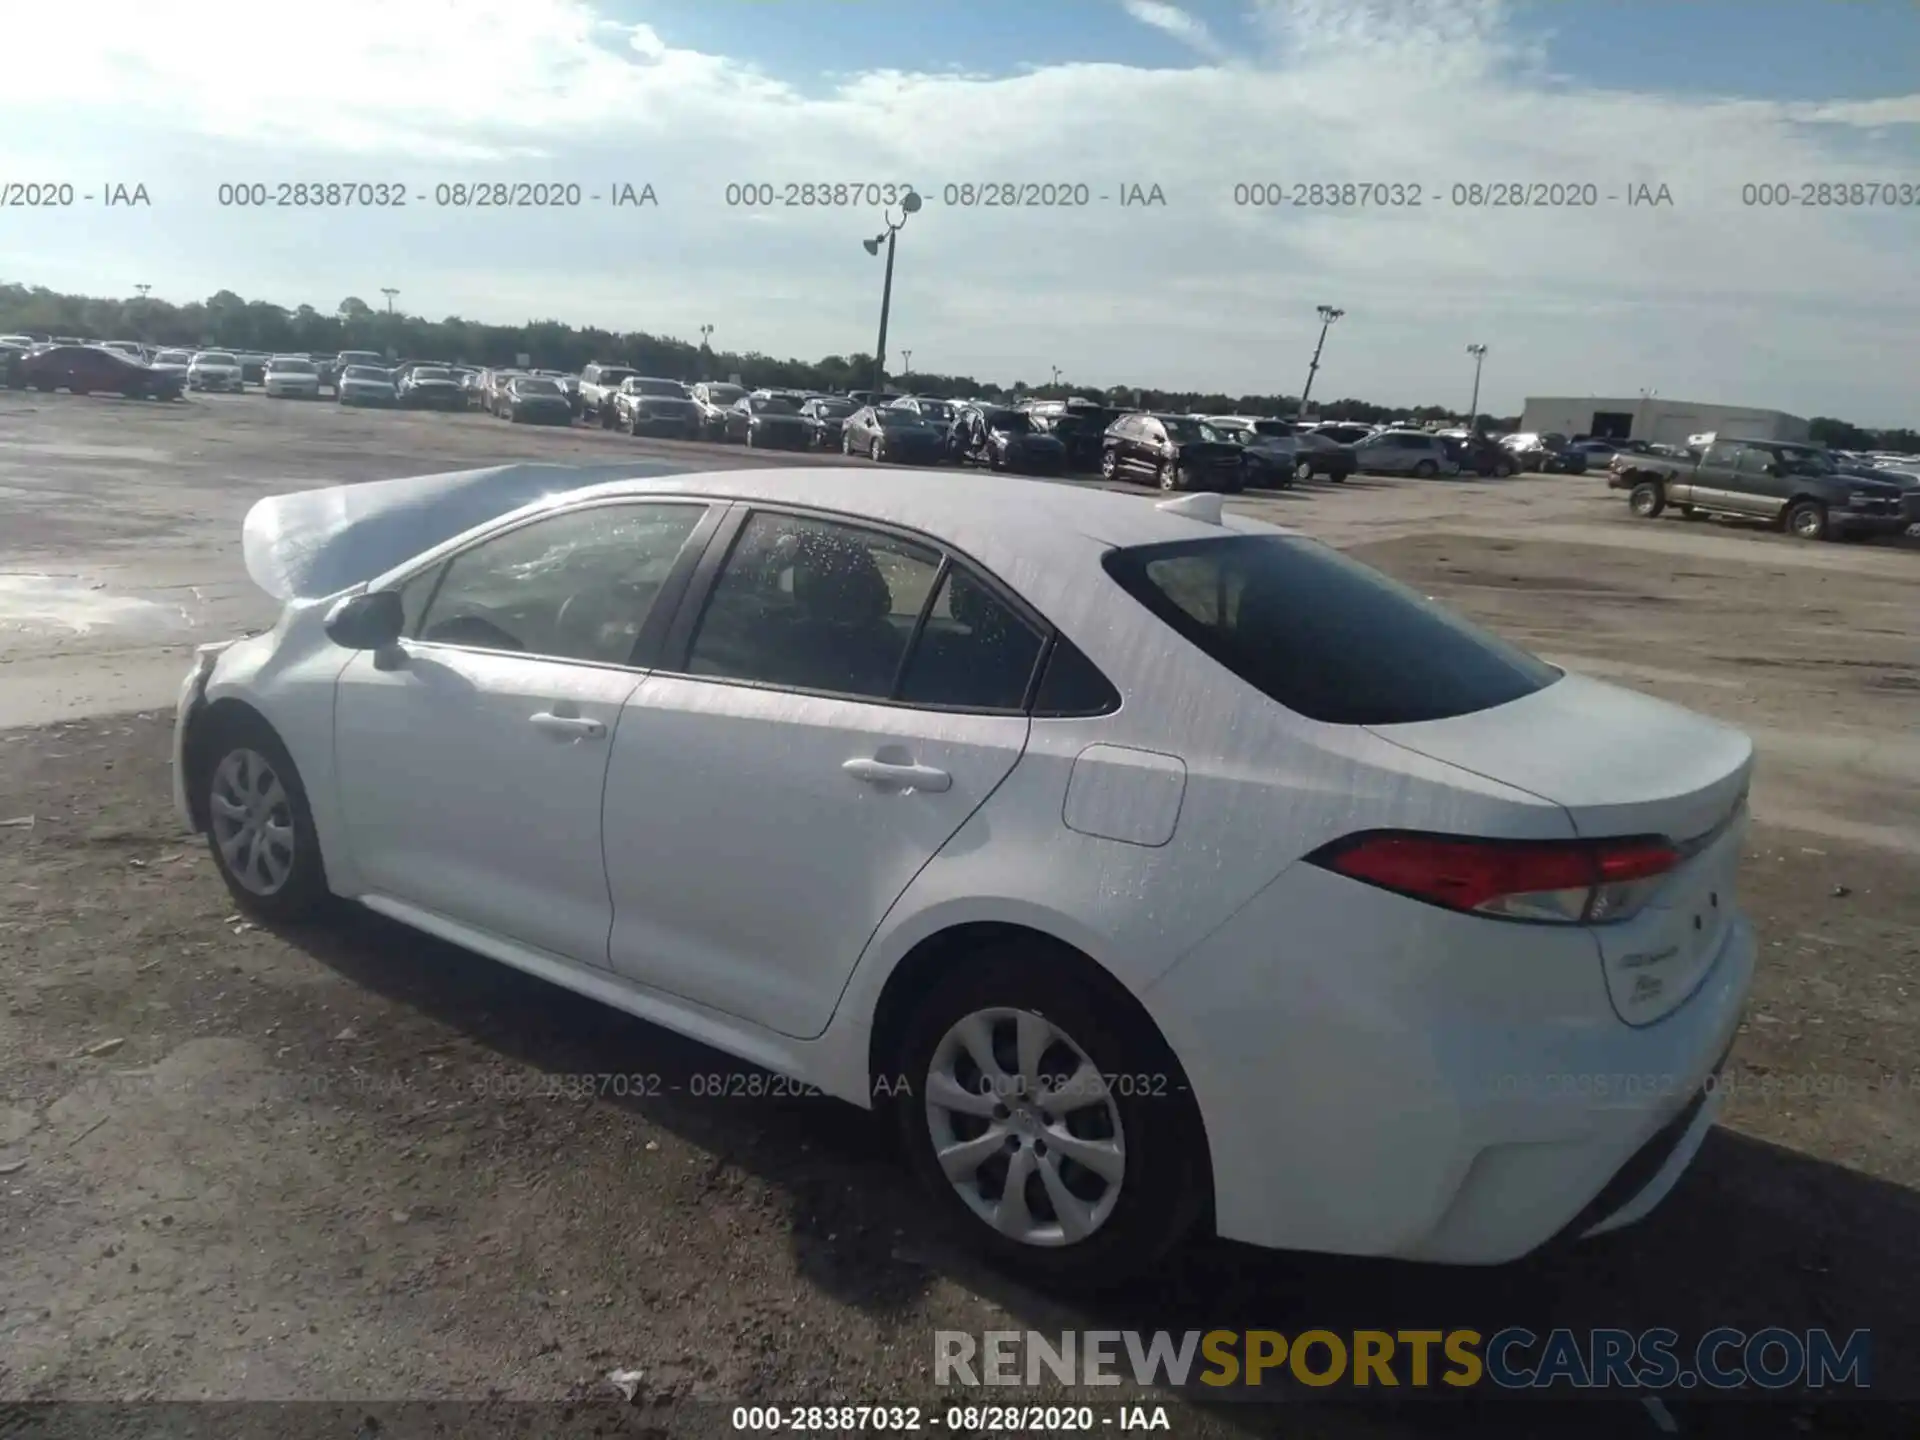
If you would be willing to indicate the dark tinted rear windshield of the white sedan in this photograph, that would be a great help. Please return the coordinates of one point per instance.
(1322, 635)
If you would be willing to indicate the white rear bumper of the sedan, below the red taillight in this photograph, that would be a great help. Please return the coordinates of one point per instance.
(1393, 1080)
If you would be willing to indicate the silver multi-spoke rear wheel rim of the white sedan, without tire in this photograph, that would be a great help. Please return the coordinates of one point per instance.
(1024, 1128)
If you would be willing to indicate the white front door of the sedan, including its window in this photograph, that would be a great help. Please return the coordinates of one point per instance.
(471, 757)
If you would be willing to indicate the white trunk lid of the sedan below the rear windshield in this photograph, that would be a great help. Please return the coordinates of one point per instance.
(1623, 765)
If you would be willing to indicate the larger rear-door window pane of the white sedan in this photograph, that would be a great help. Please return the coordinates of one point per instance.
(815, 606)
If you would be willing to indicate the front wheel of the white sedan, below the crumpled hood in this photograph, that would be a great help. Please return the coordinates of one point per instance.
(260, 825)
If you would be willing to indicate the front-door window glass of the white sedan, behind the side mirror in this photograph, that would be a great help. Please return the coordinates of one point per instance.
(575, 587)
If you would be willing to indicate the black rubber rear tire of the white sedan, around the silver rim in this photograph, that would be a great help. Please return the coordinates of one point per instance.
(1164, 1182)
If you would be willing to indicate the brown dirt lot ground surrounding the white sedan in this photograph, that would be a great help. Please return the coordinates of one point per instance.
(331, 1166)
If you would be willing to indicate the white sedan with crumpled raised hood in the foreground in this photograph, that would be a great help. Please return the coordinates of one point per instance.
(1153, 865)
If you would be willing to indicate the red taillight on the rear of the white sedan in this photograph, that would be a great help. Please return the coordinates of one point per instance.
(1566, 882)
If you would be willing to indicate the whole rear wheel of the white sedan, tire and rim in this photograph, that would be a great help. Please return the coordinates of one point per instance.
(1047, 1118)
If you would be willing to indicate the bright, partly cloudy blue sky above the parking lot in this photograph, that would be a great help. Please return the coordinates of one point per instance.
(1812, 310)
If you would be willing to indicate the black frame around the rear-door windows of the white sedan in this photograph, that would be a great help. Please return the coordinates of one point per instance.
(679, 646)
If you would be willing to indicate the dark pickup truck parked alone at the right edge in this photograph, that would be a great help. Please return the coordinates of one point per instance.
(1796, 487)
